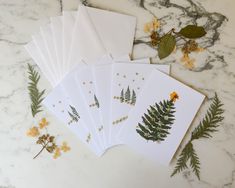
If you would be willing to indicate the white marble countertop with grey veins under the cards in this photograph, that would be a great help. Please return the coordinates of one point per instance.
(120, 167)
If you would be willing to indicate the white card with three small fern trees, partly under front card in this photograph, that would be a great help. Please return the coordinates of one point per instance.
(127, 80)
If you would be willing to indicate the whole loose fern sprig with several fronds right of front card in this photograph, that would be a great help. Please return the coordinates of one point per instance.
(206, 127)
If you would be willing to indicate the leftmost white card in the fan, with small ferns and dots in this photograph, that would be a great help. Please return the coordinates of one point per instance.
(64, 109)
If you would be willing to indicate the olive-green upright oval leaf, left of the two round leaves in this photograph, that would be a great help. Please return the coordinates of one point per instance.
(166, 45)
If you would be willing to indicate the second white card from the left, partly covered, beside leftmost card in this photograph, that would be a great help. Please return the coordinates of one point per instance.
(76, 90)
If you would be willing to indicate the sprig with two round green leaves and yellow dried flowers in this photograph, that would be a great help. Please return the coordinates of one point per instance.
(166, 43)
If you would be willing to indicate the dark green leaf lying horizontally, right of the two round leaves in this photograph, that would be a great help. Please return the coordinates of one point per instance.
(192, 31)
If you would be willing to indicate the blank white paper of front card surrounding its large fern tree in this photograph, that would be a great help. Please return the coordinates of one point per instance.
(158, 87)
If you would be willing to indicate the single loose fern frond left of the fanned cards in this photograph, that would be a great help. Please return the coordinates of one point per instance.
(36, 96)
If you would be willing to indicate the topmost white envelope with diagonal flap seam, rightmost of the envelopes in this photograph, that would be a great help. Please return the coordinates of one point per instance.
(98, 32)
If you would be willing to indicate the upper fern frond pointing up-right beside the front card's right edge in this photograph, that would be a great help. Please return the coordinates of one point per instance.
(211, 120)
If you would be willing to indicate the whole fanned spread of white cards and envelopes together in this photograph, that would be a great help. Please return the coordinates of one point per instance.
(101, 95)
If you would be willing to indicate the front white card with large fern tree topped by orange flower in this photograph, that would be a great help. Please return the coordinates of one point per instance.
(162, 114)
